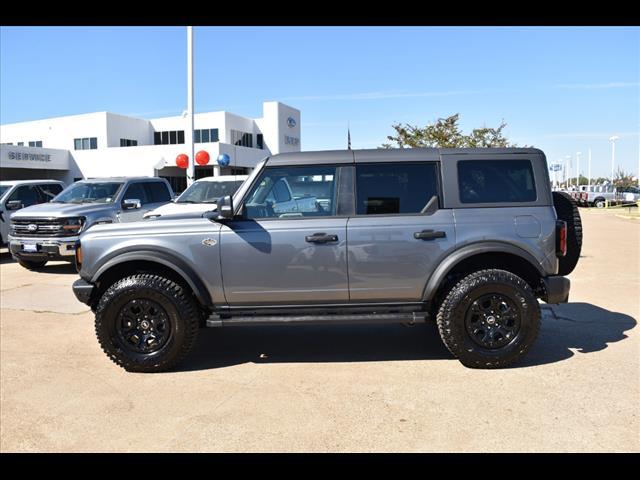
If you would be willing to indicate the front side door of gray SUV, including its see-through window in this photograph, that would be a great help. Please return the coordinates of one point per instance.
(289, 246)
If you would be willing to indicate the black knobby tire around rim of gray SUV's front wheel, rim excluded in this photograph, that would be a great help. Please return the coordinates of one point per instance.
(181, 310)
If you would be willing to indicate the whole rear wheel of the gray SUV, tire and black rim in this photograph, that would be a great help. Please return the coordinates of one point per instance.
(489, 319)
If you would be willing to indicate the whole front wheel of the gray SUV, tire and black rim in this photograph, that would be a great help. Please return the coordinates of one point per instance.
(147, 323)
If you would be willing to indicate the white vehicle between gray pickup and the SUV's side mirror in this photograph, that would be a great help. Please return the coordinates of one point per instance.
(200, 197)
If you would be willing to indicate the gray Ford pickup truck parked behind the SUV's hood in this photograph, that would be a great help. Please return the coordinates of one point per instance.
(44, 232)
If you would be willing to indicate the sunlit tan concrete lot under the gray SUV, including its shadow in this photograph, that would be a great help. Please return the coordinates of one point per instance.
(338, 388)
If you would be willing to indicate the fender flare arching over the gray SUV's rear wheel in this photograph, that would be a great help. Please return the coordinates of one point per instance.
(470, 250)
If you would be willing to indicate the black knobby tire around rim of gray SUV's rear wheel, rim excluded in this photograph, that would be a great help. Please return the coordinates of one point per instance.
(454, 308)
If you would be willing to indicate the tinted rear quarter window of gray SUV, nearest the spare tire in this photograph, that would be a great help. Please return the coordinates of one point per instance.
(496, 181)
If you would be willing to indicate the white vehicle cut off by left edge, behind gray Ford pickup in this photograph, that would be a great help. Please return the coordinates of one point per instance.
(18, 194)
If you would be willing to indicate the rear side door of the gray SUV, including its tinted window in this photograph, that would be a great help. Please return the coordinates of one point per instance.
(396, 237)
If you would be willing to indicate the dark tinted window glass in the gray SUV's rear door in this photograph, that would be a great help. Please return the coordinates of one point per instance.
(395, 188)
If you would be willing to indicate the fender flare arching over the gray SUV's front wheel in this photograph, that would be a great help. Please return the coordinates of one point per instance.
(159, 256)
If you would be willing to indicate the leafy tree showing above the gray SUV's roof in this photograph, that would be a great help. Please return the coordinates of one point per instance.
(446, 133)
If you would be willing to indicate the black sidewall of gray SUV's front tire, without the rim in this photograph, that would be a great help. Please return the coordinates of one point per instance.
(107, 318)
